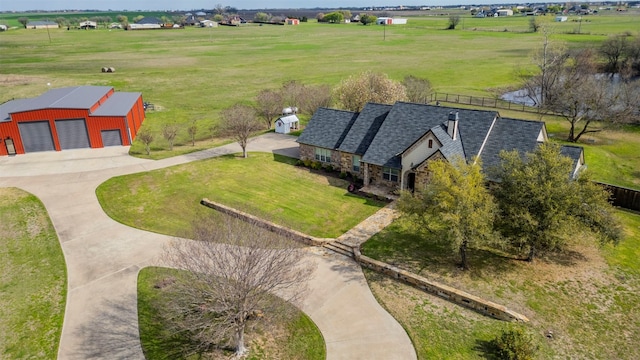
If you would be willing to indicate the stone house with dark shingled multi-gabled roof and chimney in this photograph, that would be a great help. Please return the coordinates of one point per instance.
(390, 146)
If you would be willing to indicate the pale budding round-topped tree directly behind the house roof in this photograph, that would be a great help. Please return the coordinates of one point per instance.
(357, 90)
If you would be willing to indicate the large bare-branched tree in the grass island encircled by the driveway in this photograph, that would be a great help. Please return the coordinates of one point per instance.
(234, 271)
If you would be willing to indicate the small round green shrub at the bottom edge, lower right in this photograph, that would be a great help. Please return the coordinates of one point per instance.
(515, 344)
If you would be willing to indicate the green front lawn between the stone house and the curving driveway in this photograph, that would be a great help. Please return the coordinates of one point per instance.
(265, 185)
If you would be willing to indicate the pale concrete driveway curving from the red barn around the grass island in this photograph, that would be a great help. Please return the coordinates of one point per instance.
(103, 259)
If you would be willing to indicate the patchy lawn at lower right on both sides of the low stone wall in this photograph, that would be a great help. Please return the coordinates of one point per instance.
(588, 297)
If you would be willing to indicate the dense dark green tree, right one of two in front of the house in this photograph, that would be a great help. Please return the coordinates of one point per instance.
(540, 203)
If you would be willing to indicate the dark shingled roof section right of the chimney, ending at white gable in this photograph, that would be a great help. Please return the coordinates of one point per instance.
(510, 134)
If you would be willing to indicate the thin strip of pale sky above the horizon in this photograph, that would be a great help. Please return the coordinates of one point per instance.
(21, 5)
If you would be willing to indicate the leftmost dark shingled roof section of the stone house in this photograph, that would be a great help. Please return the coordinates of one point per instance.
(327, 128)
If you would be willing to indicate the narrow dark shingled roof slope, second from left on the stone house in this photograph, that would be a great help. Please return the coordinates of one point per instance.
(365, 128)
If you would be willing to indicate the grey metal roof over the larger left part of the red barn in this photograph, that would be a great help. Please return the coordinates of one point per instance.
(79, 97)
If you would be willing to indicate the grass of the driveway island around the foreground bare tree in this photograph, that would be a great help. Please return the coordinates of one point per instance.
(295, 338)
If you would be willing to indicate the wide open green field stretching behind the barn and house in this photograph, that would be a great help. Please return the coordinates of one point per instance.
(191, 74)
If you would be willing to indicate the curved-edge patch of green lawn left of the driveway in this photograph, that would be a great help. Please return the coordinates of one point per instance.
(33, 279)
